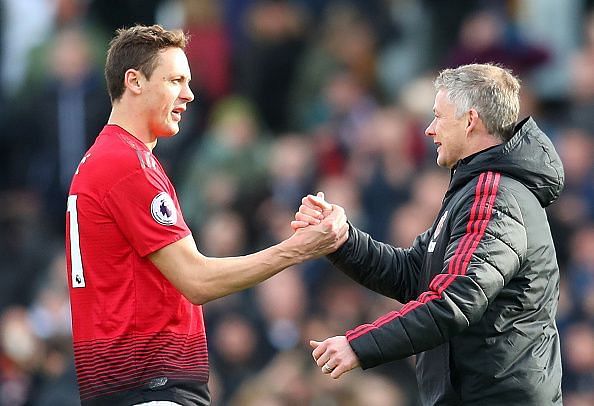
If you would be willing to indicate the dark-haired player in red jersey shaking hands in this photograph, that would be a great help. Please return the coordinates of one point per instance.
(136, 277)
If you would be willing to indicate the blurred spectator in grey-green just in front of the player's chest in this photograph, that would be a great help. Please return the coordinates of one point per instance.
(228, 167)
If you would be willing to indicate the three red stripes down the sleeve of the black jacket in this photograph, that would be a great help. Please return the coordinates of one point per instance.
(480, 214)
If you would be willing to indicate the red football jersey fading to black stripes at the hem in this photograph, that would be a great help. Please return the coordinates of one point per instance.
(136, 337)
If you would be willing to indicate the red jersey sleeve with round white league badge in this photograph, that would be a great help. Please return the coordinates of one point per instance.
(146, 209)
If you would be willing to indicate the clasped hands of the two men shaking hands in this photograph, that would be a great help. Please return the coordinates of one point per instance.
(320, 227)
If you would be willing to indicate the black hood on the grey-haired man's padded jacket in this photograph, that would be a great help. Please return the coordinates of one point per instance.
(529, 157)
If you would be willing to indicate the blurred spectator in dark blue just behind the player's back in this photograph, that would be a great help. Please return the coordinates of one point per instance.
(61, 118)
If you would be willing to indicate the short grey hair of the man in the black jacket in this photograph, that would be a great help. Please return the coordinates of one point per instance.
(493, 91)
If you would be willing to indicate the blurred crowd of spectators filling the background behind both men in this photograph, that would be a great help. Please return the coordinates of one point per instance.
(292, 97)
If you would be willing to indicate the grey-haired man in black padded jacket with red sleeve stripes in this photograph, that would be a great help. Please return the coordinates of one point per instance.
(481, 286)
